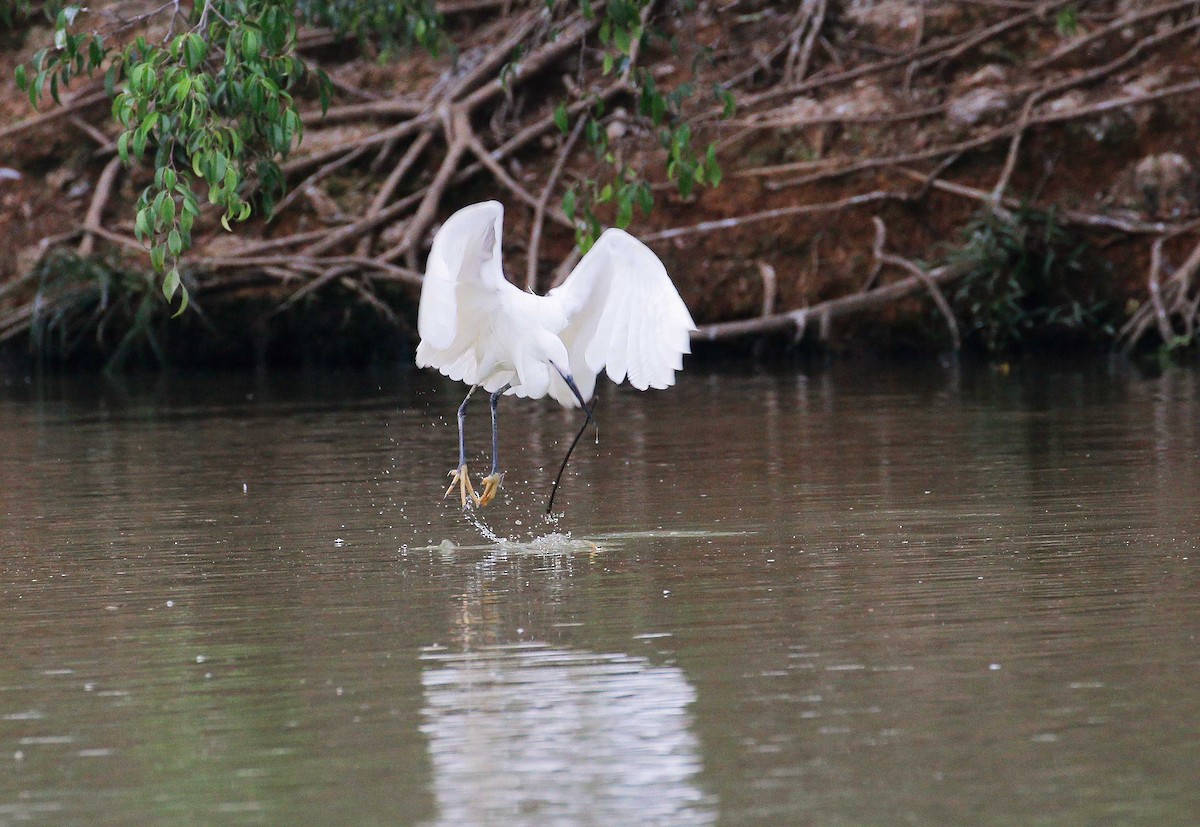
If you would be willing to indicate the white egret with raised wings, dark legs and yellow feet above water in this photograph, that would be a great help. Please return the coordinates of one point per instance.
(616, 311)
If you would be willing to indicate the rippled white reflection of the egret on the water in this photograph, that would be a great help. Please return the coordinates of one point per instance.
(531, 734)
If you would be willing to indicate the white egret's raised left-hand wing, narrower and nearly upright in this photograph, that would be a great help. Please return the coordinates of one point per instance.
(464, 281)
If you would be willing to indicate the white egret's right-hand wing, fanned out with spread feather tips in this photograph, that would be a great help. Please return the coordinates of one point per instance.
(623, 315)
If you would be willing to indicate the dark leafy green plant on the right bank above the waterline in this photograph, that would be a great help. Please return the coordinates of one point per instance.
(1029, 278)
